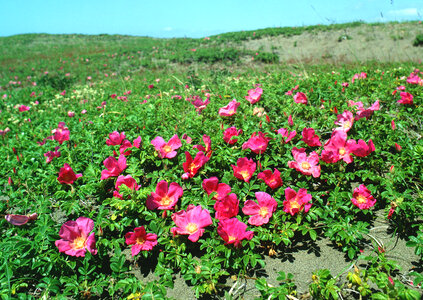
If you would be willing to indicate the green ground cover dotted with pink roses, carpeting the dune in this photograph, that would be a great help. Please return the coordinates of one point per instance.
(112, 167)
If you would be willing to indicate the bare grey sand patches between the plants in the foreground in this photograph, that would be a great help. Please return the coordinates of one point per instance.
(305, 258)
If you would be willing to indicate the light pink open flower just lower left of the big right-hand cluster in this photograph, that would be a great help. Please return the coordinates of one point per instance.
(307, 165)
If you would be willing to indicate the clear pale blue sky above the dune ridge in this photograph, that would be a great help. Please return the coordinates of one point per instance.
(173, 18)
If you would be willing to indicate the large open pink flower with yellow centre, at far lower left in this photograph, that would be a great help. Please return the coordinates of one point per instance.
(76, 238)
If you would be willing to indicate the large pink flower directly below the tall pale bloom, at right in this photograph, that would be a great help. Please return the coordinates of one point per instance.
(337, 148)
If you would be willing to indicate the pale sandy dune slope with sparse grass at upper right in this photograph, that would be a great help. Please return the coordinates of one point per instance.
(382, 43)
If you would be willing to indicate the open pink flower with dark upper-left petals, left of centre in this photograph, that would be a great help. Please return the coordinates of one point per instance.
(164, 198)
